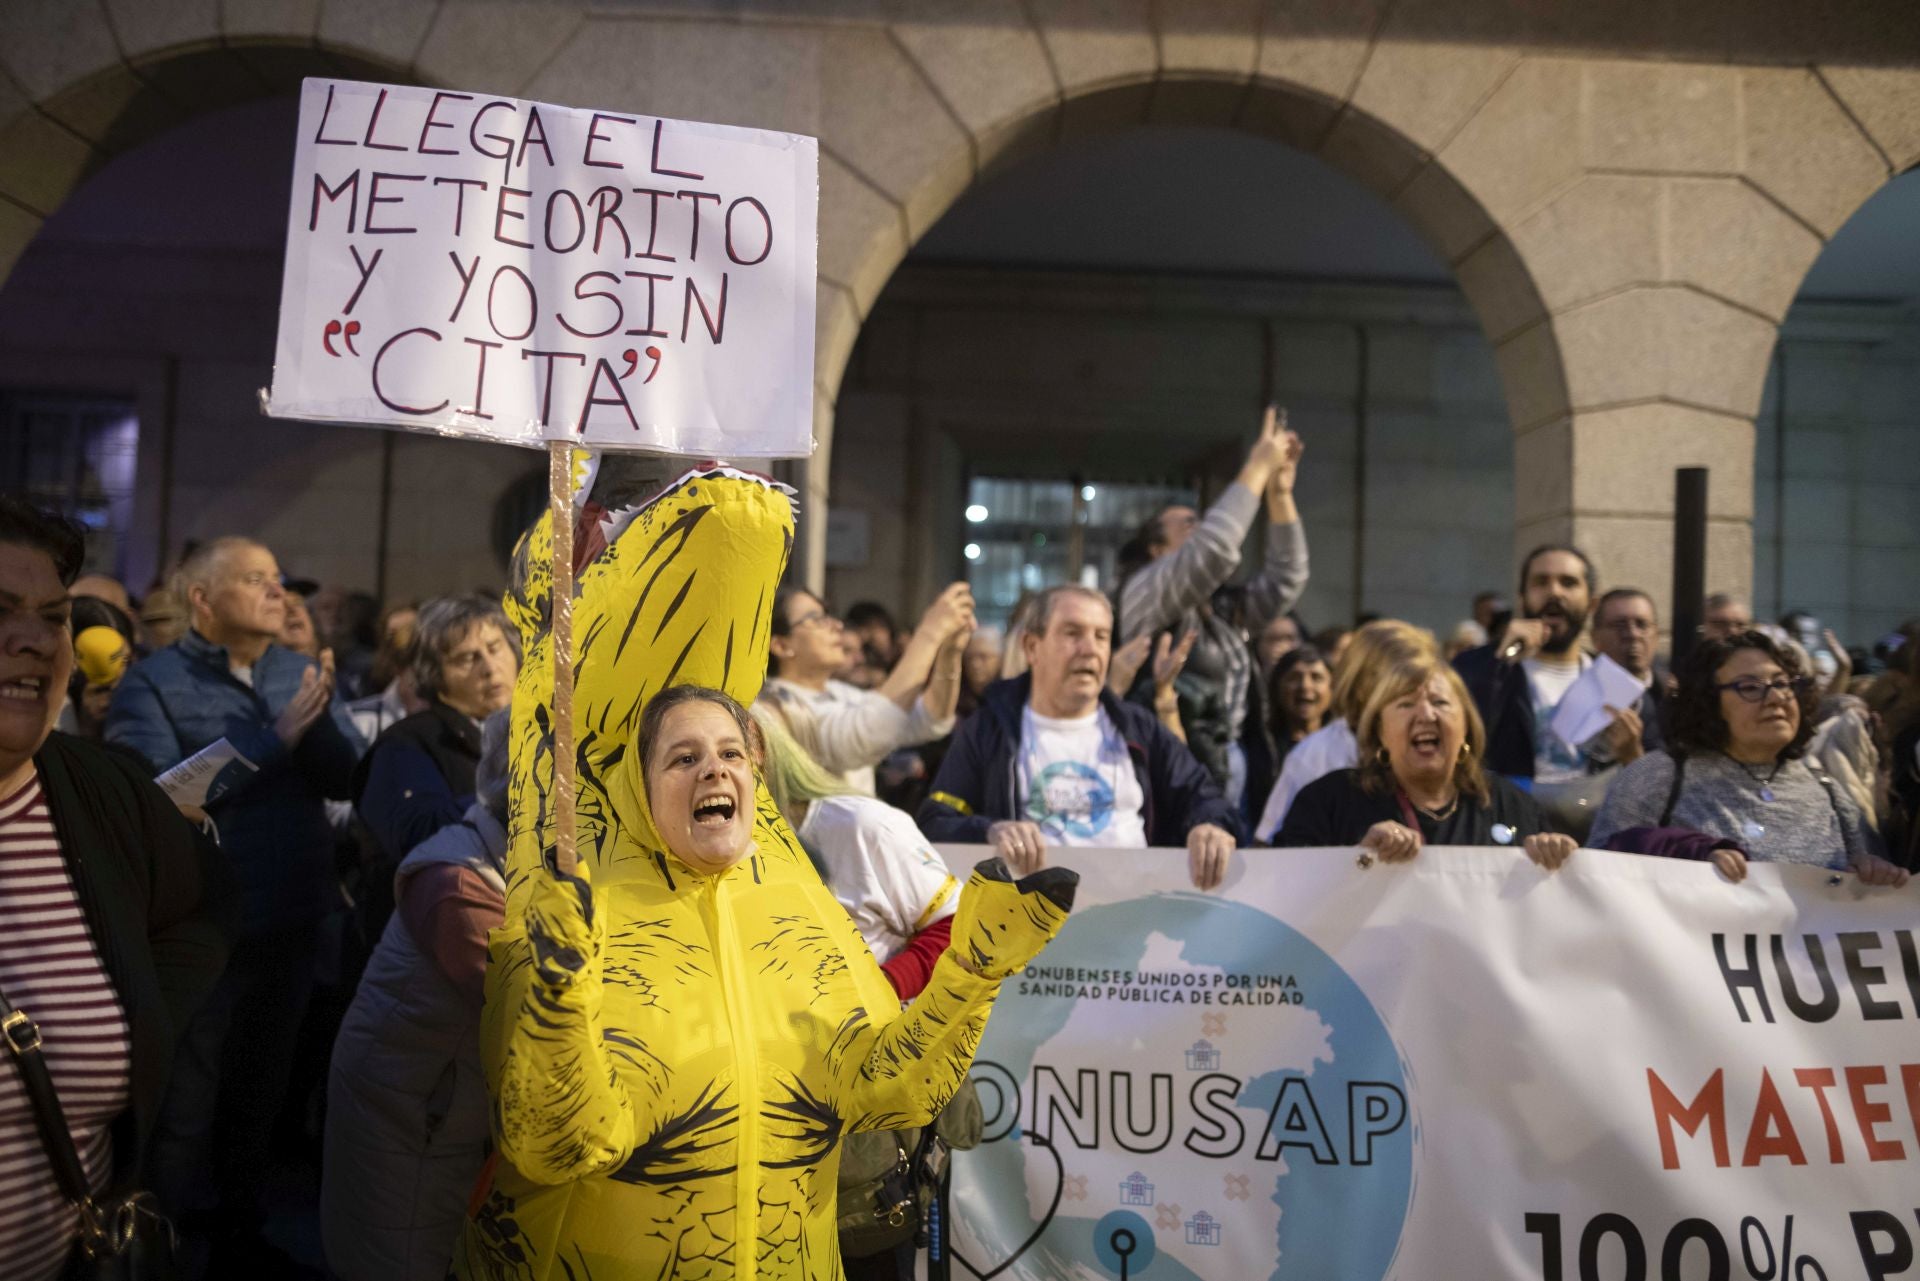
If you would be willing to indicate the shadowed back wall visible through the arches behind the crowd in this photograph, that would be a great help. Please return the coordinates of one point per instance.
(1103, 375)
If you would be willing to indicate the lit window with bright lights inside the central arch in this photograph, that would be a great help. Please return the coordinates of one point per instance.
(1024, 535)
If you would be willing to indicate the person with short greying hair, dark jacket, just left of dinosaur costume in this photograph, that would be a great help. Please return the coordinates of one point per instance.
(420, 775)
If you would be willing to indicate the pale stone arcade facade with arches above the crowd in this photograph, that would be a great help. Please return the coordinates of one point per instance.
(1627, 201)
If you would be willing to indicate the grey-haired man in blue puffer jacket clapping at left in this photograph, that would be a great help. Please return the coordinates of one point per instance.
(229, 679)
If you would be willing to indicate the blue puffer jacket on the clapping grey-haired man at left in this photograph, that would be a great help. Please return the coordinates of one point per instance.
(274, 823)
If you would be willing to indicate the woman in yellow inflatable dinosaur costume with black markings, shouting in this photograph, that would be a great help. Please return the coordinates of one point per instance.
(679, 1036)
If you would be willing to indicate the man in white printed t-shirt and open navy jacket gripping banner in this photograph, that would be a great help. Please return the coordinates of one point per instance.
(1055, 760)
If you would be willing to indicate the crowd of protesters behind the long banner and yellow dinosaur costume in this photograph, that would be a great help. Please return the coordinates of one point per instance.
(333, 894)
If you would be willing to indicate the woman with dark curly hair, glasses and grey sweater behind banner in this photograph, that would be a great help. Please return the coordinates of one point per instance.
(1735, 769)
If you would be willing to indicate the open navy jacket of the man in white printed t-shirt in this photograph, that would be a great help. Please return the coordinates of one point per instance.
(976, 783)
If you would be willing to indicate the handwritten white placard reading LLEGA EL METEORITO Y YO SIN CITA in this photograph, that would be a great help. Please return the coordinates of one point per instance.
(521, 272)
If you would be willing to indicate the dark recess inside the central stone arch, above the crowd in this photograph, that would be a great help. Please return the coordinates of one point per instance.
(1381, 393)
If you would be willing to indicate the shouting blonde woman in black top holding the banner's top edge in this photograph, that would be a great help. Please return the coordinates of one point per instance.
(1420, 779)
